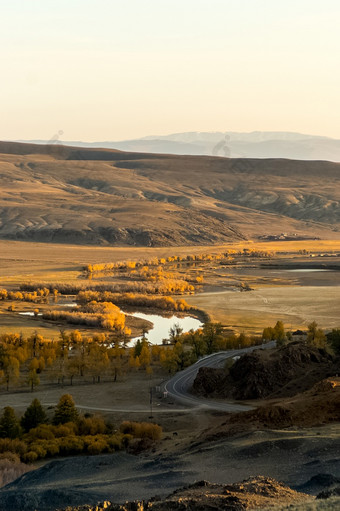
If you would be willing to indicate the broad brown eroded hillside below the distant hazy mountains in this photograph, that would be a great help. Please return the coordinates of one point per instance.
(58, 193)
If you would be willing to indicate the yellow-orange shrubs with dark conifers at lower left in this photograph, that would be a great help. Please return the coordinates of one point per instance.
(69, 434)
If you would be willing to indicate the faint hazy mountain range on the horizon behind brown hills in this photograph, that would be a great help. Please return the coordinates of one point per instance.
(258, 144)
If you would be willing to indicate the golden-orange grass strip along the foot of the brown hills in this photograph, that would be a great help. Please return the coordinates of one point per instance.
(34, 259)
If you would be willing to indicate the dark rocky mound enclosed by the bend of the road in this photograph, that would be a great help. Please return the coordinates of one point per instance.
(260, 374)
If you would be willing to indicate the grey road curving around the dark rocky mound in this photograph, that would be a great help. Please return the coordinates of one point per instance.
(179, 386)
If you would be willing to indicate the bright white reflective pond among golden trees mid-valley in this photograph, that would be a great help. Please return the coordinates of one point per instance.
(161, 325)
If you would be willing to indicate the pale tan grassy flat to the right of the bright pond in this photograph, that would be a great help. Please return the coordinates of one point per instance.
(295, 306)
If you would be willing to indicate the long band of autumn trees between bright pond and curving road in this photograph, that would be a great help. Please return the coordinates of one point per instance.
(75, 358)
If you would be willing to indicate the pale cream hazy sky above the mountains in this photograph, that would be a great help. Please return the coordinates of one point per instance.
(117, 69)
